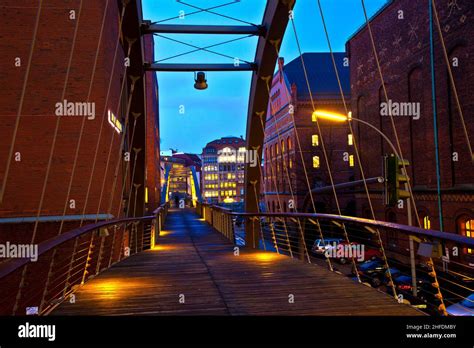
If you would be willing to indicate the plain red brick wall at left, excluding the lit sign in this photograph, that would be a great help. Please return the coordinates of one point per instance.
(44, 89)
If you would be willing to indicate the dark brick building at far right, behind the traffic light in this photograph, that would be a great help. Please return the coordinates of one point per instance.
(401, 34)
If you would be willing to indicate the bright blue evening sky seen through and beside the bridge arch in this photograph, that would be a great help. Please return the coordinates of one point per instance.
(221, 110)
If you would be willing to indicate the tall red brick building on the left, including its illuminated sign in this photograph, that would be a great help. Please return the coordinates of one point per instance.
(50, 81)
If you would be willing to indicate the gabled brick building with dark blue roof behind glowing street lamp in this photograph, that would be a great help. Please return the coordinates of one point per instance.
(291, 139)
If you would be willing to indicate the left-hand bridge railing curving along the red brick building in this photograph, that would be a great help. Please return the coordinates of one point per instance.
(67, 261)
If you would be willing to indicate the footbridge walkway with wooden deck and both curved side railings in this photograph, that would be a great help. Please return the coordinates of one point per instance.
(209, 260)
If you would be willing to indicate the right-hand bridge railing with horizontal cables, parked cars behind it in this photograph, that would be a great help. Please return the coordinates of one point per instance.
(427, 268)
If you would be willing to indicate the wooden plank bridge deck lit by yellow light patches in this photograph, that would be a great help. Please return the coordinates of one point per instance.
(194, 260)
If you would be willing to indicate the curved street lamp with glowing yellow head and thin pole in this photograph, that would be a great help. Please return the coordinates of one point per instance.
(331, 116)
